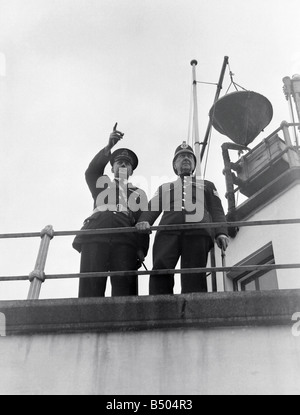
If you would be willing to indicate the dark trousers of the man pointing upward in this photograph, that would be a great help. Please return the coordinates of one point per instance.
(102, 257)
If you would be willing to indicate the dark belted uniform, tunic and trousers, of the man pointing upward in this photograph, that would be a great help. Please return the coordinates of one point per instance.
(110, 252)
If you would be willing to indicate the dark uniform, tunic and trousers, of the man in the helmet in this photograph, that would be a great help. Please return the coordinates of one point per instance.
(192, 246)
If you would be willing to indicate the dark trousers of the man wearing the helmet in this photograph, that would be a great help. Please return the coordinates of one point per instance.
(167, 249)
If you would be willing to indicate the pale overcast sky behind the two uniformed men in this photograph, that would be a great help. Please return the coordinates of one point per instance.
(70, 69)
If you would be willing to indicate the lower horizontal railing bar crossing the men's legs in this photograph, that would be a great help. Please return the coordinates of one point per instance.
(241, 268)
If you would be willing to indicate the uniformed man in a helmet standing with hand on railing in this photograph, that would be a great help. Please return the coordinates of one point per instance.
(192, 246)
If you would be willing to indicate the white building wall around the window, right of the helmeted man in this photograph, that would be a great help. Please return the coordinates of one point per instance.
(285, 238)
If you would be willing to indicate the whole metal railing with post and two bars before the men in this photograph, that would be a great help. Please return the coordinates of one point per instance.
(38, 276)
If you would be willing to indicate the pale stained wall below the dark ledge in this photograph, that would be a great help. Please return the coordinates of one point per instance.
(173, 362)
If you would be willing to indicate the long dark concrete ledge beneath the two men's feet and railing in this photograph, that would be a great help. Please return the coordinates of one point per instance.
(151, 312)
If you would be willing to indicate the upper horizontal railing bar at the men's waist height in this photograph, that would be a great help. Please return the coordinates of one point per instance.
(188, 226)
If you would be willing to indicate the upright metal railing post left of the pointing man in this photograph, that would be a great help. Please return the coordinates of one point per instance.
(37, 276)
